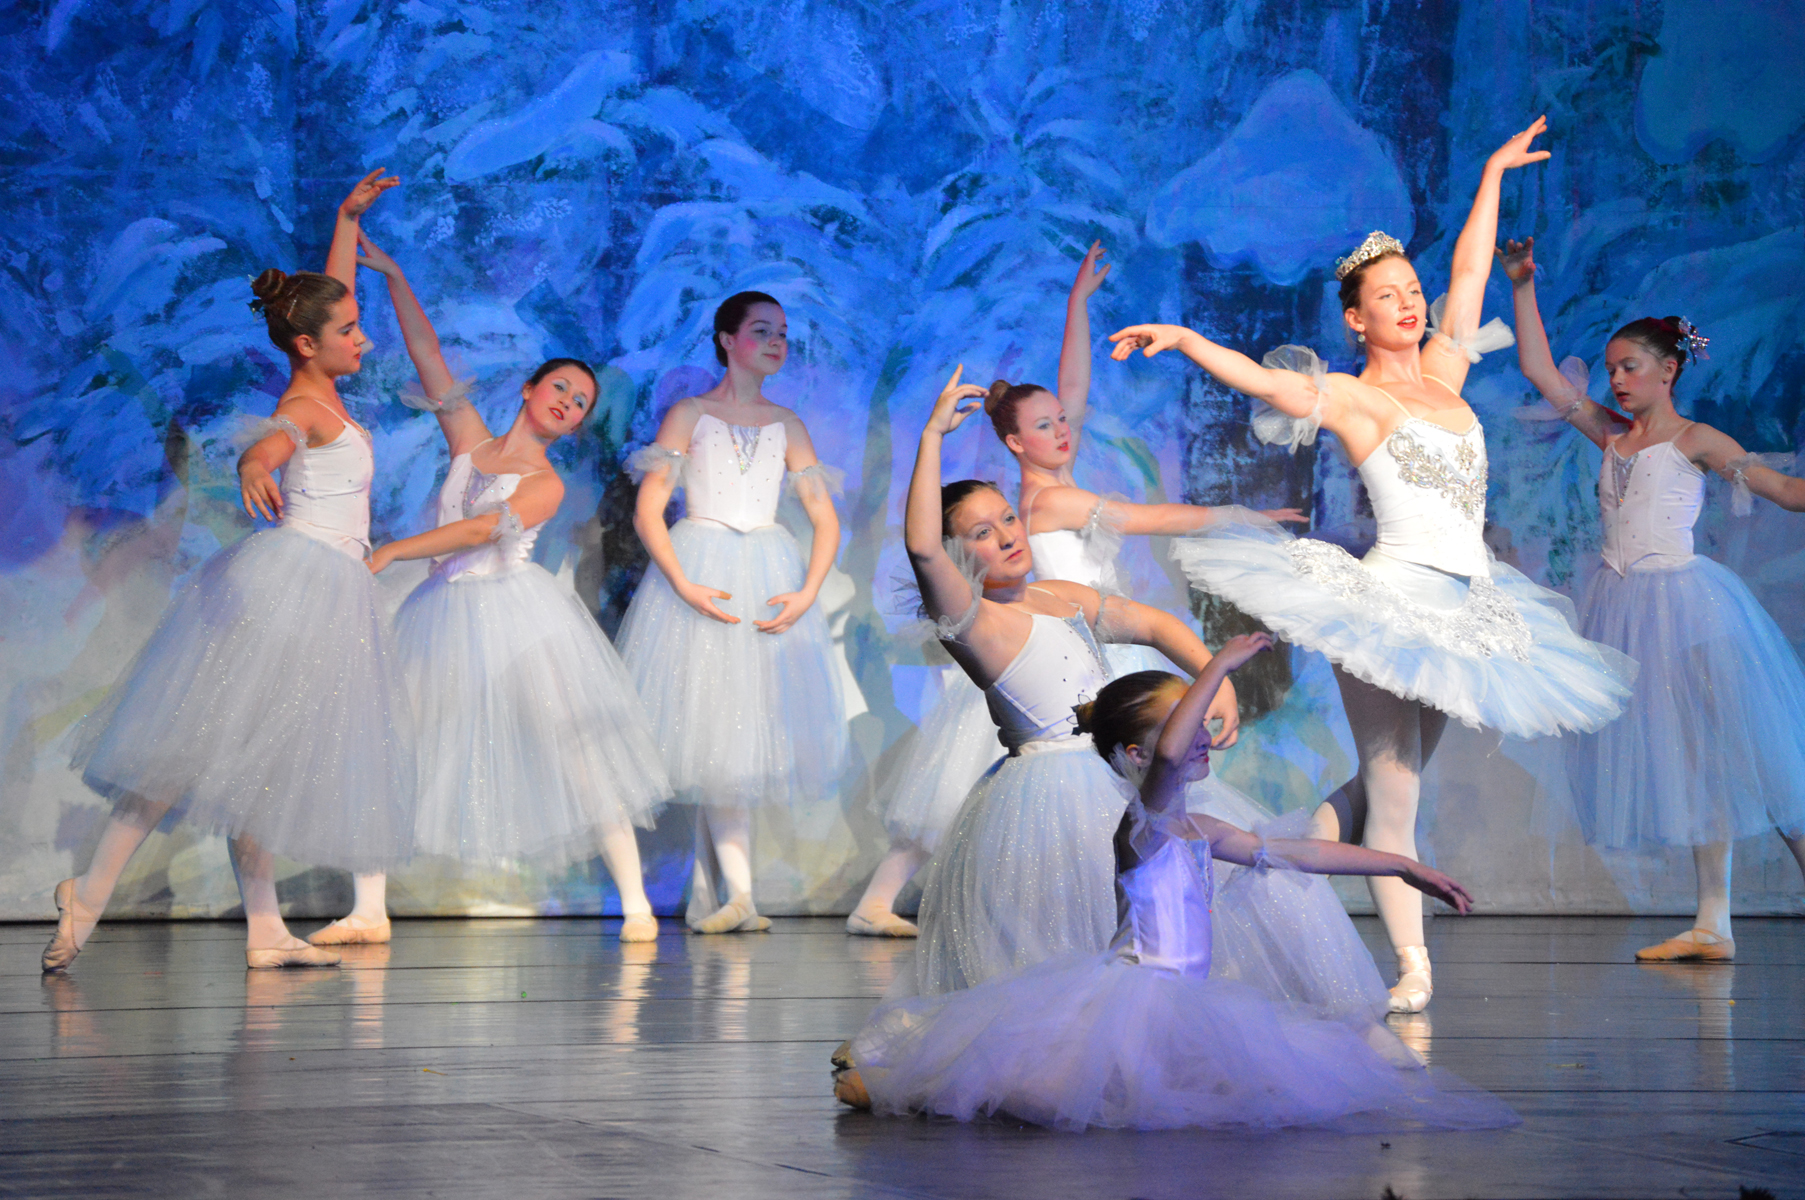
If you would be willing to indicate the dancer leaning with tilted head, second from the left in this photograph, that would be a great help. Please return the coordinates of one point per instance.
(532, 739)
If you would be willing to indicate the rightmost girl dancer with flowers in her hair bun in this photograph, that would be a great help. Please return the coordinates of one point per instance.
(1714, 744)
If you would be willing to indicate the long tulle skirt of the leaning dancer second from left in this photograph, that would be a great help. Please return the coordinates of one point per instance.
(532, 734)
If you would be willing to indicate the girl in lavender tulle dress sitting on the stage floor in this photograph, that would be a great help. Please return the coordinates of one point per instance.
(1142, 1037)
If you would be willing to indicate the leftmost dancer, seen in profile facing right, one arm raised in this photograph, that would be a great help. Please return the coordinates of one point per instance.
(266, 706)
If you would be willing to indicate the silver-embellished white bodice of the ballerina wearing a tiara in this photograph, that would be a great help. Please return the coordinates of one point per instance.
(1429, 495)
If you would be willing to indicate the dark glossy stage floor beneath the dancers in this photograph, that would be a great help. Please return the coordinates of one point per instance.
(542, 1058)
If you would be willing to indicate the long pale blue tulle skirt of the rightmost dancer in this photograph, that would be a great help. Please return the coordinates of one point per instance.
(1712, 746)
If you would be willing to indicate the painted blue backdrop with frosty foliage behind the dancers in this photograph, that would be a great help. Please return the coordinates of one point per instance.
(916, 183)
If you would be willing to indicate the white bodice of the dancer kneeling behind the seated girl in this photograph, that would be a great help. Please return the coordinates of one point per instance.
(1057, 669)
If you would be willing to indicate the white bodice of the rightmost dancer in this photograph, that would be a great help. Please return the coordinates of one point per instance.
(1649, 504)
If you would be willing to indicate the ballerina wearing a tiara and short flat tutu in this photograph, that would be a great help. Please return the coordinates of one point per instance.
(1427, 627)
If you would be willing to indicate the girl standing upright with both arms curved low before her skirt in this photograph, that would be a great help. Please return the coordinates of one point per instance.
(746, 714)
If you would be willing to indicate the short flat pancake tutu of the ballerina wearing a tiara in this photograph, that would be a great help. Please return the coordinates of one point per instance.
(1499, 652)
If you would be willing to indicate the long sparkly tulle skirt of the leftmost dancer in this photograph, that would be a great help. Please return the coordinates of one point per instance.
(268, 703)
